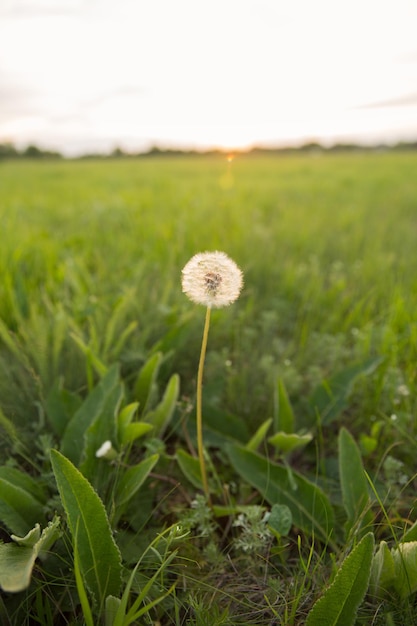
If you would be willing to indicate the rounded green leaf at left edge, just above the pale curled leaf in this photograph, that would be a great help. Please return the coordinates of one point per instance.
(20, 510)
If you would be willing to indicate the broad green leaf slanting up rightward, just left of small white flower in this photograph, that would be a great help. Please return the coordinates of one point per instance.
(72, 443)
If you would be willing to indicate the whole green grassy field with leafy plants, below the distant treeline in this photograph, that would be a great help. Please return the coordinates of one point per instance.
(308, 400)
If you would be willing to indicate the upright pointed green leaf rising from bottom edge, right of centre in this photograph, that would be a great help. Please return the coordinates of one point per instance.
(339, 604)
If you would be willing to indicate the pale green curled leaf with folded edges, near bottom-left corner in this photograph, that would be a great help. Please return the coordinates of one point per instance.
(18, 558)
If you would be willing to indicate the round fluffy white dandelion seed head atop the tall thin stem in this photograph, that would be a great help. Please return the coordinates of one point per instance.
(212, 279)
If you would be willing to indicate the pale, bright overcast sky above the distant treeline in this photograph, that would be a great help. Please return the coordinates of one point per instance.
(92, 75)
